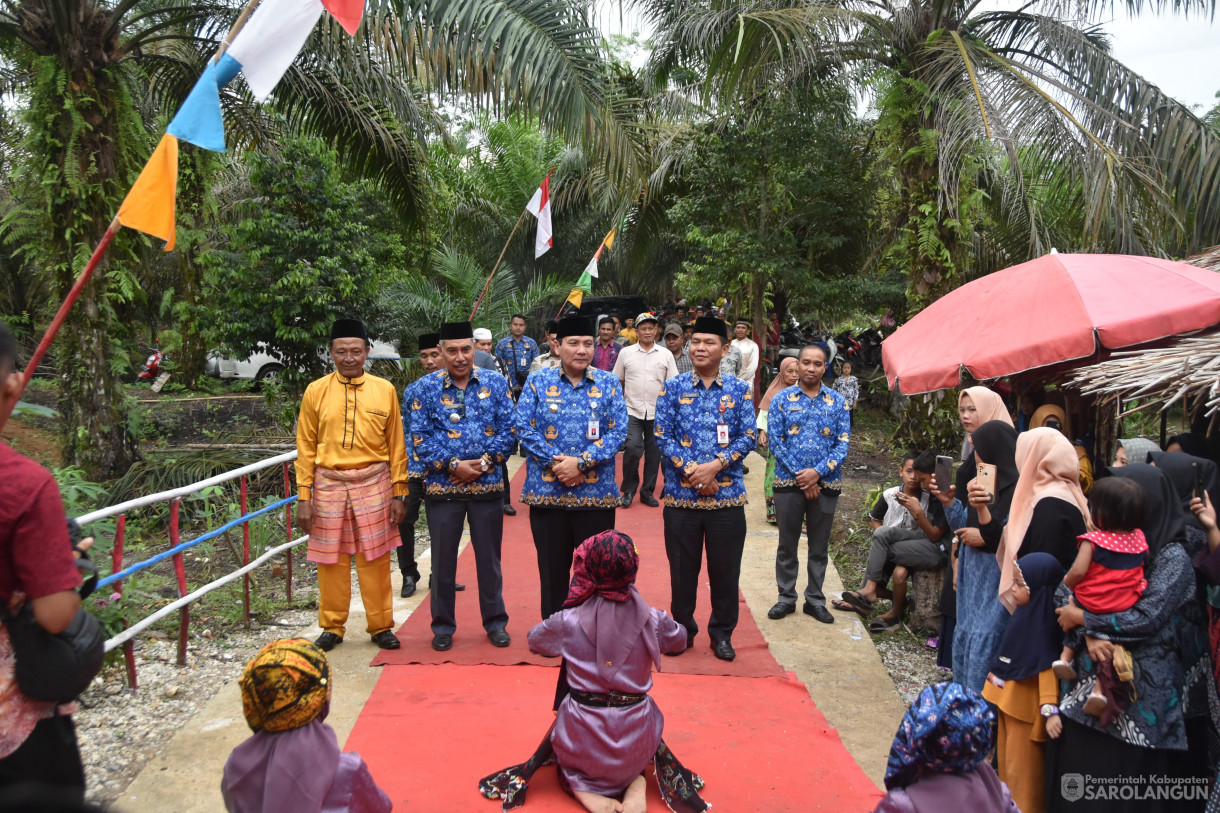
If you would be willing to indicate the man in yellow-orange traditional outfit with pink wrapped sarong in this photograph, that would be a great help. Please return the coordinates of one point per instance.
(352, 485)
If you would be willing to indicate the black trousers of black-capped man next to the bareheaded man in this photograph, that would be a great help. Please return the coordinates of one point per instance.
(722, 532)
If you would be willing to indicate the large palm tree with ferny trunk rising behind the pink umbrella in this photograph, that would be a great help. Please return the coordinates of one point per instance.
(1019, 110)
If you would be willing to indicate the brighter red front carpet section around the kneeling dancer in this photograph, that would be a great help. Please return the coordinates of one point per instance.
(429, 733)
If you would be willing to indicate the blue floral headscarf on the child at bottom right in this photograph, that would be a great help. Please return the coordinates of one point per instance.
(947, 731)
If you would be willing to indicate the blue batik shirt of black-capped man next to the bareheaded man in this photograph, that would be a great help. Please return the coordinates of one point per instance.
(687, 414)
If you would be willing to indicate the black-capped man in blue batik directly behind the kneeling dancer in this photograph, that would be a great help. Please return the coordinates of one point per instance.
(572, 422)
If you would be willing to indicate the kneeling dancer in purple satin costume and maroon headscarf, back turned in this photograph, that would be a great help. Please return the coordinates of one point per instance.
(607, 728)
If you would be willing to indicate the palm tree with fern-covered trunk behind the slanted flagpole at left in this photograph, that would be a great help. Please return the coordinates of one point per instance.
(88, 74)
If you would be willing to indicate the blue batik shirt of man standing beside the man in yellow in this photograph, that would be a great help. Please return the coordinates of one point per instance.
(484, 428)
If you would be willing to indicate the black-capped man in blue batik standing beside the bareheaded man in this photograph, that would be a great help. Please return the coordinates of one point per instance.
(705, 429)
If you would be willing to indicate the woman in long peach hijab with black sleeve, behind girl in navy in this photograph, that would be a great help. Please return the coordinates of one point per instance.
(1050, 511)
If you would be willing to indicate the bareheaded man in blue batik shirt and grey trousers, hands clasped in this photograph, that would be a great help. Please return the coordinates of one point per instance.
(809, 428)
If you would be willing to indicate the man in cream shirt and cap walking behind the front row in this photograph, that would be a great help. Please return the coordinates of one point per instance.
(642, 368)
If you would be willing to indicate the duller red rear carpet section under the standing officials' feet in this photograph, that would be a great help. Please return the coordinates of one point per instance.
(522, 598)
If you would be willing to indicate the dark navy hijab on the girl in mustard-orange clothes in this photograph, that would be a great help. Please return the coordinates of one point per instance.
(1033, 639)
